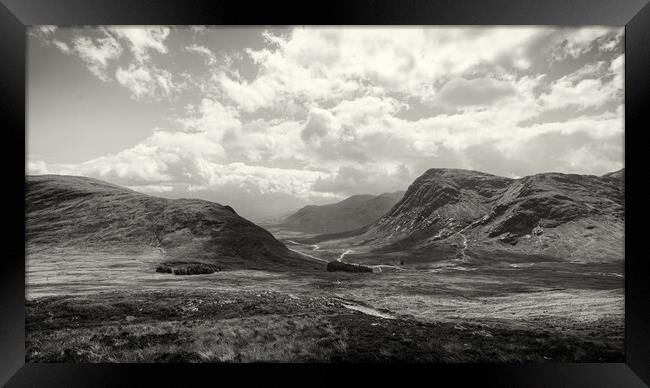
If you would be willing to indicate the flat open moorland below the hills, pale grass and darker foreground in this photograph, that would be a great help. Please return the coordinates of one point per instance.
(98, 307)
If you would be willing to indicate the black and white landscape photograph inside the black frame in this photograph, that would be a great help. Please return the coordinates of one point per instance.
(325, 194)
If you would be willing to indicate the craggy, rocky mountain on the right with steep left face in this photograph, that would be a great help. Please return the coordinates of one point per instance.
(565, 216)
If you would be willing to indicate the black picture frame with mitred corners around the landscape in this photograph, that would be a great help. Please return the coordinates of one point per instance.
(16, 15)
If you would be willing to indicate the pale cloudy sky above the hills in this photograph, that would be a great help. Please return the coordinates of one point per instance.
(268, 120)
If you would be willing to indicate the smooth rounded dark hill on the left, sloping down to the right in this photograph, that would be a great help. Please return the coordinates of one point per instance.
(83, 213)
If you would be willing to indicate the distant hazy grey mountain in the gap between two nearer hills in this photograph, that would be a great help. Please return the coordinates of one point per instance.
(349, 214)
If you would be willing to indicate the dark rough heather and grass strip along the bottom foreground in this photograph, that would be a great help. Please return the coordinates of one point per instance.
(249, 326)
